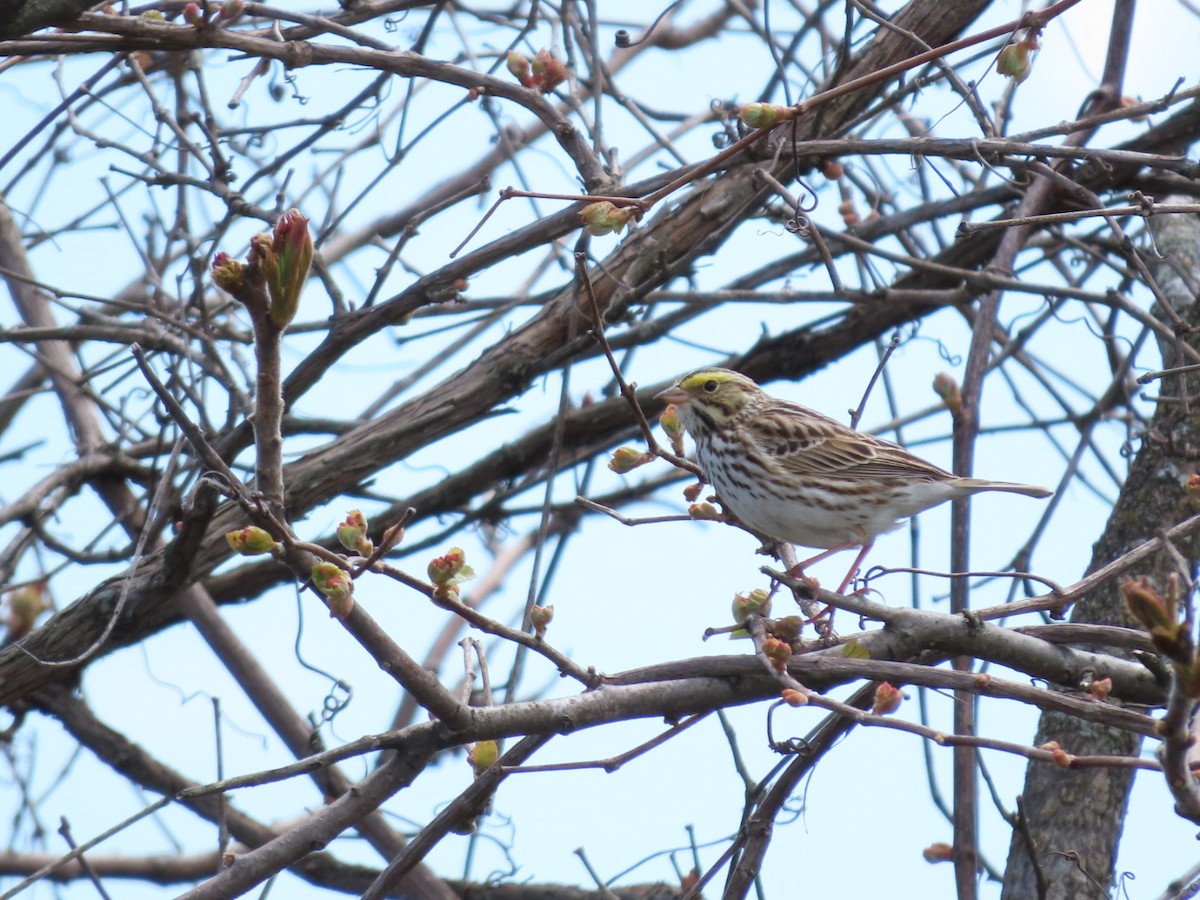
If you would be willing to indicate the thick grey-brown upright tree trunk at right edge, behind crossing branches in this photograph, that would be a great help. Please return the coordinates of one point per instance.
(1073, 819)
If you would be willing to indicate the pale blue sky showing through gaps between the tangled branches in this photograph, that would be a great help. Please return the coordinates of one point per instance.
(625, 597)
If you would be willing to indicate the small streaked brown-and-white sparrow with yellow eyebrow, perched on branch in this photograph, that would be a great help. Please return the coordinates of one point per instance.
(801, 477)
